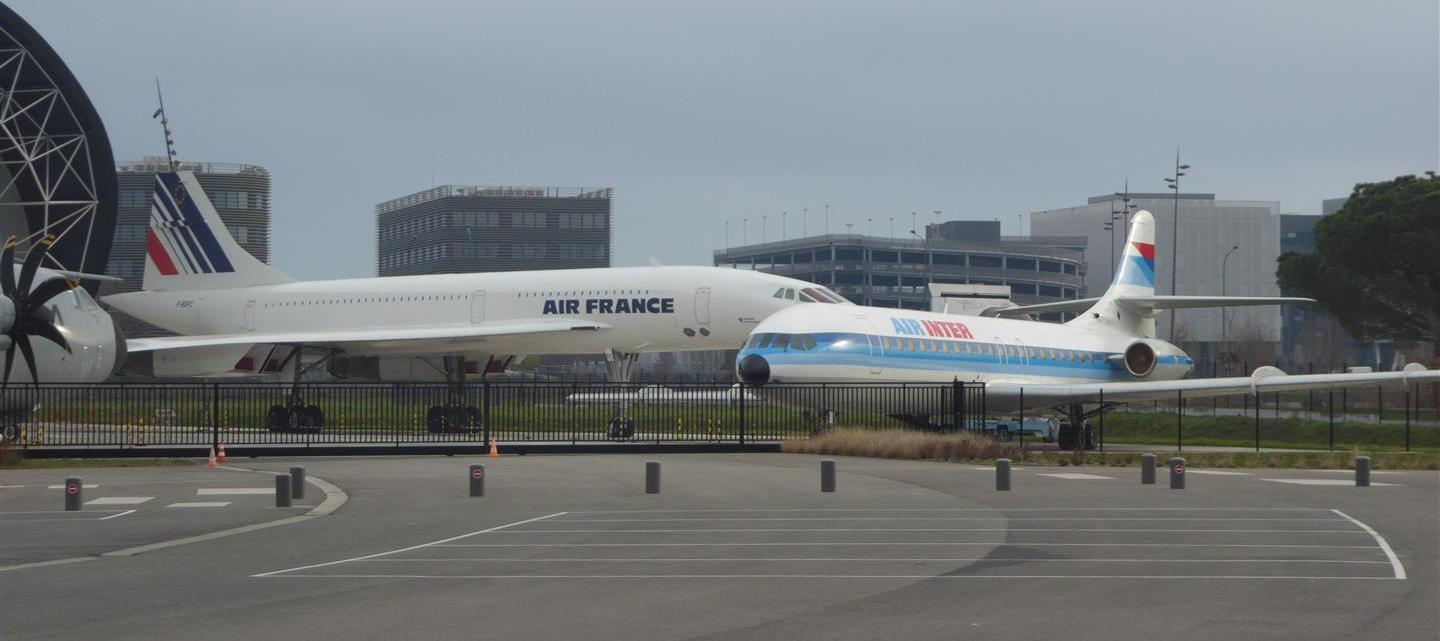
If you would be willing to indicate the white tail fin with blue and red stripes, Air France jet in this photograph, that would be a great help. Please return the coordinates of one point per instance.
(188, 246)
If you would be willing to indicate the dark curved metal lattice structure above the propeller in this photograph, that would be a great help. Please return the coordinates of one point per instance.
(57, 169)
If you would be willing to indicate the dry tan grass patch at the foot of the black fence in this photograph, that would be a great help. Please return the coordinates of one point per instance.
(904, 444)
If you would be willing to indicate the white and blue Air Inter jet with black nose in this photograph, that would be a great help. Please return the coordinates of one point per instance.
(1107, 355)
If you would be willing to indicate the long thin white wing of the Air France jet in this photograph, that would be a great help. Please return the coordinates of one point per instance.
(342, 339)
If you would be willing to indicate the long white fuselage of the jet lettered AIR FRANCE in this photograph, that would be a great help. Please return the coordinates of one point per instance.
(646, 309)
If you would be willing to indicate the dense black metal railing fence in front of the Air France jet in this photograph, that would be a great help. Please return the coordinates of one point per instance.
(244, 417)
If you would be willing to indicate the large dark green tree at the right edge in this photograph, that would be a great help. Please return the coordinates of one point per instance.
(1377, 261)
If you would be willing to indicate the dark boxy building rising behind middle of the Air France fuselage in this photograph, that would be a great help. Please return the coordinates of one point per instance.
(456, 228)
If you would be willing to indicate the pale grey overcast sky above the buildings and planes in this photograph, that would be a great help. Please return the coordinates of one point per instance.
(702, 113)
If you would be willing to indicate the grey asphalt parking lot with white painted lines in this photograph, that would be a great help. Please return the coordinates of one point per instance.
(747, 547)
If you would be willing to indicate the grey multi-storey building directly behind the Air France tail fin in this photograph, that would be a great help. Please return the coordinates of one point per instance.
(241, 195)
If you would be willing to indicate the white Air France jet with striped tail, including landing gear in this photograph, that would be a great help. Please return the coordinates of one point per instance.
(238, 316)
